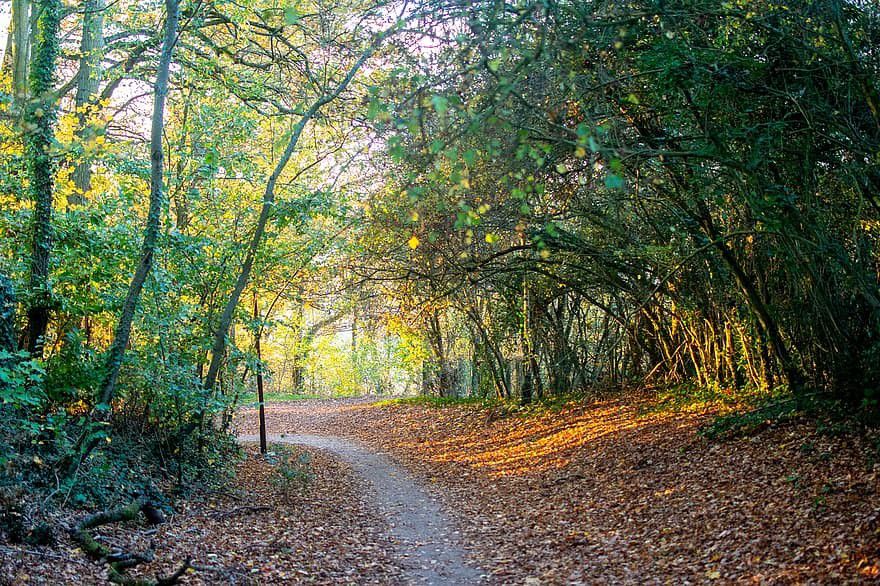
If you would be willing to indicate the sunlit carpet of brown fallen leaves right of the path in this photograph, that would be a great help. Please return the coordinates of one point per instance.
(617, 492)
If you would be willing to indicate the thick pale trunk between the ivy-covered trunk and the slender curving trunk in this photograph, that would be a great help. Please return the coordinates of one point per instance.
(87, 84)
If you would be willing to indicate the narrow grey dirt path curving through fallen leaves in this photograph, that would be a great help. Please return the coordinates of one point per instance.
(425, 538)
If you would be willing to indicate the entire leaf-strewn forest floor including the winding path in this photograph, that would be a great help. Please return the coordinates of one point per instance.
(617, 491)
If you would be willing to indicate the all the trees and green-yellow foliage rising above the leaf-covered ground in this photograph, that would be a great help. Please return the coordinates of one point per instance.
(518, 200)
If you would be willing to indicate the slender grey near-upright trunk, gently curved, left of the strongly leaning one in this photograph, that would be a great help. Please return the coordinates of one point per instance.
(151, 232)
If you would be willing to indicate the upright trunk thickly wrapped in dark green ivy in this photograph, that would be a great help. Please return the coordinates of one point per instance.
(39, 122)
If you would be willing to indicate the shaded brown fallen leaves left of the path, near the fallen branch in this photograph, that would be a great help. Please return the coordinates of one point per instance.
(257, 532)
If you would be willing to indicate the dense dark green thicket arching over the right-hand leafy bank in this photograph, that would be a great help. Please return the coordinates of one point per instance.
(651, 191)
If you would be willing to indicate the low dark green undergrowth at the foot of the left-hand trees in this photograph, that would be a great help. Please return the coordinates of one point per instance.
(54, 450)
